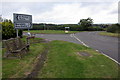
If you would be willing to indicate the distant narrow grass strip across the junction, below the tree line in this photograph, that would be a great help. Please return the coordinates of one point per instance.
(50, 31)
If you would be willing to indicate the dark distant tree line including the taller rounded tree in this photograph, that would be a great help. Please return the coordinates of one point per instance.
(83, 25)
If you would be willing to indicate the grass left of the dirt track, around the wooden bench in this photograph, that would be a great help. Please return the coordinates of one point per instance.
(20, 68)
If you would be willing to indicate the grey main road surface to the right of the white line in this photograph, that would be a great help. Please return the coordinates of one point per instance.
(104, 44)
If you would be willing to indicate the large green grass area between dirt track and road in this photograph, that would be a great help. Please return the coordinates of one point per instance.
(64, 62)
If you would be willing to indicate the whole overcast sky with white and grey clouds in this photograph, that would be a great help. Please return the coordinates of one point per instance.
(63, 11)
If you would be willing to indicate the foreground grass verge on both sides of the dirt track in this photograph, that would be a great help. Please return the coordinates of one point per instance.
(64, 60)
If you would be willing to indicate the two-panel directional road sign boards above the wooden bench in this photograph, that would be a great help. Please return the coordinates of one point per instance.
(22, 21)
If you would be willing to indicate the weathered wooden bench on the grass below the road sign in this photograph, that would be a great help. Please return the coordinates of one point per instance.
(15, 46)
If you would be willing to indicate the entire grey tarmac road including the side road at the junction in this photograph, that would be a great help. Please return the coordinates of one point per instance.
(104, 44)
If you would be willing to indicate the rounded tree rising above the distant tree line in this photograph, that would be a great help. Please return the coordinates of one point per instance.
(86, 23)
